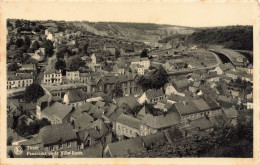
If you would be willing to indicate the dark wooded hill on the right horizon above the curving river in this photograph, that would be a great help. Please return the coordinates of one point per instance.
(232, 37)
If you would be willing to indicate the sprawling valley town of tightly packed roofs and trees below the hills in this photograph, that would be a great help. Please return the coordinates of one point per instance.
(73, 93)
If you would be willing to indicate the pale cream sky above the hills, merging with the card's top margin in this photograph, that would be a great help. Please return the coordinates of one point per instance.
(193, 13)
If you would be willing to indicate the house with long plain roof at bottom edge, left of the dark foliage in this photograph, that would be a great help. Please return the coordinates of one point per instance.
(124, 148)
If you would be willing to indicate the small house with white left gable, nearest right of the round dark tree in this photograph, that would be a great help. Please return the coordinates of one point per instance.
(75, 98)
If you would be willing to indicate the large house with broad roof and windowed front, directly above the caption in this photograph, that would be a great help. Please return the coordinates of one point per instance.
(59, 138)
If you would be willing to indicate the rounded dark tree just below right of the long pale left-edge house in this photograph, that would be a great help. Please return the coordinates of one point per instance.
(33, 92)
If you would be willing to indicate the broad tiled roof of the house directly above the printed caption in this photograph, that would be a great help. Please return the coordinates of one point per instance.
(52, 134)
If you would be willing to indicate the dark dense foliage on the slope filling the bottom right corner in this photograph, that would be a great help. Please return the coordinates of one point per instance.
(224, 141)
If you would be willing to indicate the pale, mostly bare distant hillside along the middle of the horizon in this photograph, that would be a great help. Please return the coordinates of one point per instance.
(133, 31)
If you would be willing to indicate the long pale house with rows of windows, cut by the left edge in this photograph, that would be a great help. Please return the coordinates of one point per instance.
(15, 80)
